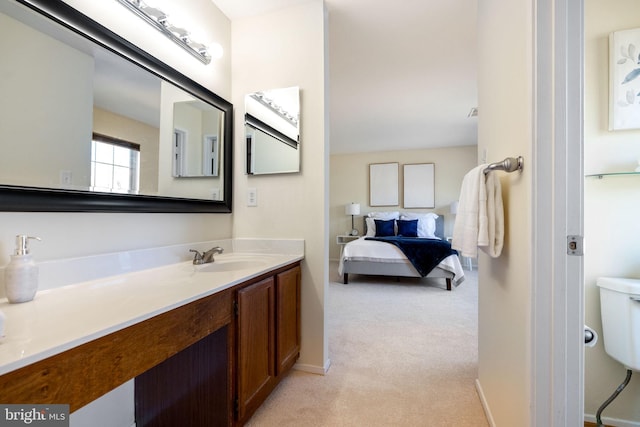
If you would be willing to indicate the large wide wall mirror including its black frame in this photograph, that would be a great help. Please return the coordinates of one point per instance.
(90, 121)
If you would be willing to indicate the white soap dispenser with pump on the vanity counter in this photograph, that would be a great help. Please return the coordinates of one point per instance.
(21, 274)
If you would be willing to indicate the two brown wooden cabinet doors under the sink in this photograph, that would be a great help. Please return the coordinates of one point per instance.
(268, 337)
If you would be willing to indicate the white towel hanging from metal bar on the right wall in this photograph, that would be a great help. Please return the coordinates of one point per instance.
(480, 218)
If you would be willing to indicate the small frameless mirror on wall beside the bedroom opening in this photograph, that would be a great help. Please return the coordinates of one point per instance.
(272, 131)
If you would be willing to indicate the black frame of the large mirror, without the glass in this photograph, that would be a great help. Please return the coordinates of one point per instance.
(35, 199)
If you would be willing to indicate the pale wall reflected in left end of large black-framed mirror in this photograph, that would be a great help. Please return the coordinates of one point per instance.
(29, 157)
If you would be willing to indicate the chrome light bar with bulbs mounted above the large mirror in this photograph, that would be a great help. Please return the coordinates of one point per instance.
(158, 19)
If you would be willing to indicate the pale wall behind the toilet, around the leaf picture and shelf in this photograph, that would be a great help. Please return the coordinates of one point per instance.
(611, 204)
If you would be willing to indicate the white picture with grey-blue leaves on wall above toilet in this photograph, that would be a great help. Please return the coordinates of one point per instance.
(624, 79)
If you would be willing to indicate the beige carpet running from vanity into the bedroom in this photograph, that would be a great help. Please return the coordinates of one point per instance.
(402, 354)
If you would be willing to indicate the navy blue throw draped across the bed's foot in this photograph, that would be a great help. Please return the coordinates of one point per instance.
(424, 254)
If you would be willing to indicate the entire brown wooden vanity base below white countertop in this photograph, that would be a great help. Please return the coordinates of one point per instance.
(208, 363)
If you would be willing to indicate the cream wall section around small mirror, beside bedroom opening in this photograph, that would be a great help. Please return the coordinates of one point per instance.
(278, 50)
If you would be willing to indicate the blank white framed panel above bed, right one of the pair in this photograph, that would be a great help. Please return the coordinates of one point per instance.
(419, 185)
